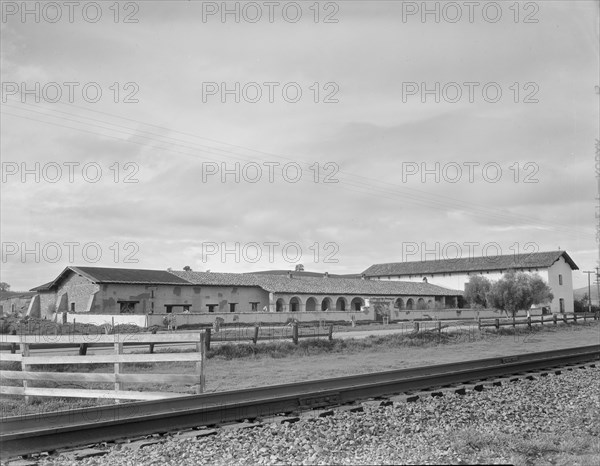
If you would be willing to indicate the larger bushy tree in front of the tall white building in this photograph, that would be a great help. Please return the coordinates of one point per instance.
(516, 291)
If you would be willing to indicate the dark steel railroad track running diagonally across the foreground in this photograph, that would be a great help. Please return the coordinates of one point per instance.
(30, 434)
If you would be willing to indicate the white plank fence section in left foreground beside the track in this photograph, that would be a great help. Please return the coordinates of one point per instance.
(118, 358)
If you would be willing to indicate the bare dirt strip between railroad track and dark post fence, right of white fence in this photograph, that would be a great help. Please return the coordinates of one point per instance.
(250, 372)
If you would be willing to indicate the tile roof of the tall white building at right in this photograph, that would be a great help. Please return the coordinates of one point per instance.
(471, 264)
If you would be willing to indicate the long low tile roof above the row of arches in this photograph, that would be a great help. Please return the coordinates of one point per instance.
(316, 285)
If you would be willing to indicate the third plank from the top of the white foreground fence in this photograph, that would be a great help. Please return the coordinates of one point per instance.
(100, 377)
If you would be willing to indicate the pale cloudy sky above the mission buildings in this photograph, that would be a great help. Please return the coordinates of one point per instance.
(359, 132)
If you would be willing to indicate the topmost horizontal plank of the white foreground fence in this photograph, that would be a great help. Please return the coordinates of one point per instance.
(173, 337)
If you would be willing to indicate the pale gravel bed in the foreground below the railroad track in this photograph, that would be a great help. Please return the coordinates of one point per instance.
(548, 420)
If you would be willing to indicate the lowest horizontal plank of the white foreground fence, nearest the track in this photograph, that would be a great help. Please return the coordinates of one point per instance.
(75, 393)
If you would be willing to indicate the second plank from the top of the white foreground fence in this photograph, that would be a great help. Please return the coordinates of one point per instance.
(112, 358)
